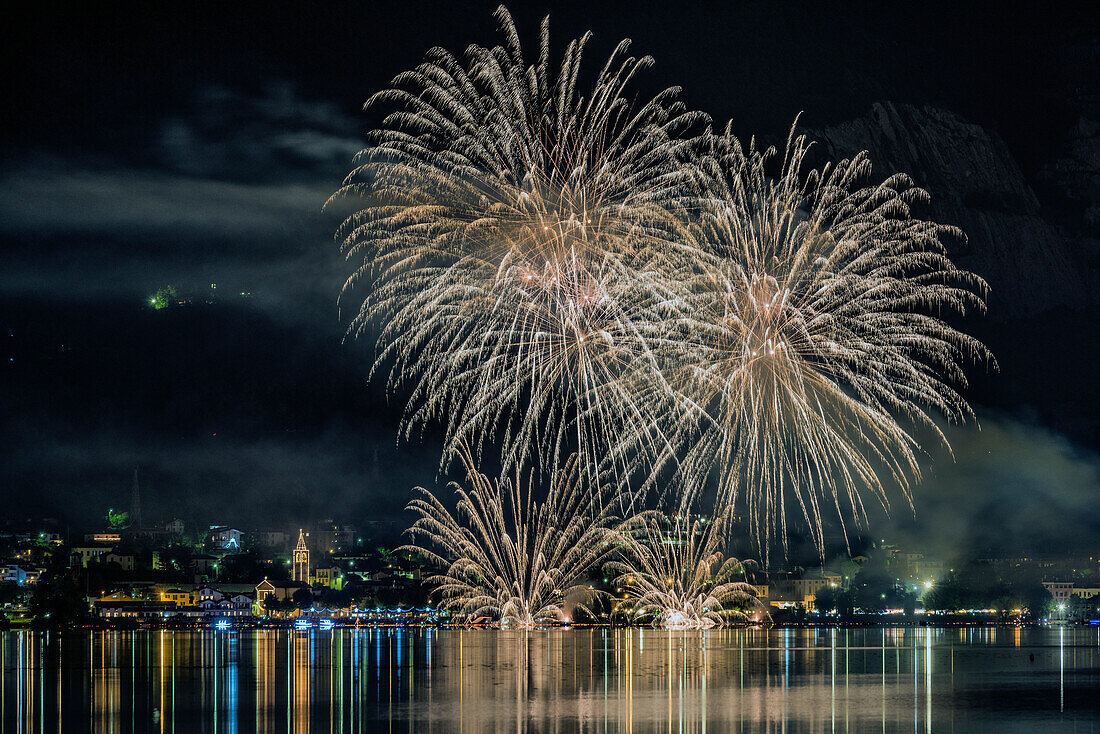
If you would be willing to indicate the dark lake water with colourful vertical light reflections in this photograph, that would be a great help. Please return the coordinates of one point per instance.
(562, 681)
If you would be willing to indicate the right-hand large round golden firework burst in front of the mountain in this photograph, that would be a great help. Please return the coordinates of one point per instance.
(813, 336)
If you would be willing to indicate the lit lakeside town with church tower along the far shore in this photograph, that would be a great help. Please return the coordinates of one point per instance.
(130, 574)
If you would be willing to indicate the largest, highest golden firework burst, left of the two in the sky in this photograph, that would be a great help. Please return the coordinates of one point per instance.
(515, 239)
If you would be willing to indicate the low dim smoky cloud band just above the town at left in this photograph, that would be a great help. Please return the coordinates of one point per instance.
(279, 480)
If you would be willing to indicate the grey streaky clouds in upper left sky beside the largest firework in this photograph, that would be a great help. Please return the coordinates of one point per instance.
(230, 193)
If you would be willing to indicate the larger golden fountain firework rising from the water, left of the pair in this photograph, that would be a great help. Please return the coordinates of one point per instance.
(505, 555)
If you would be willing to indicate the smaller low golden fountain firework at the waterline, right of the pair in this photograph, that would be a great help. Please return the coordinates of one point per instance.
(678, 575)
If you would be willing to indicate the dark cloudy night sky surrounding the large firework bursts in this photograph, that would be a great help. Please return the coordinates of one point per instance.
(146, 147)
